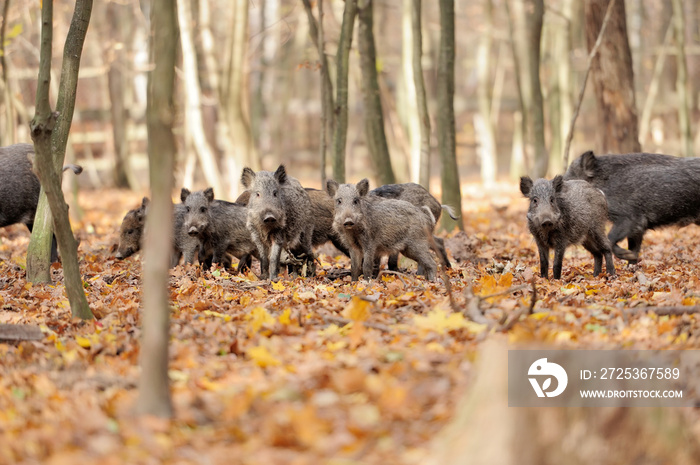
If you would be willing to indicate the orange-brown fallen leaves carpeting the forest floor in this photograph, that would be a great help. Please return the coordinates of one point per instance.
(307, 371)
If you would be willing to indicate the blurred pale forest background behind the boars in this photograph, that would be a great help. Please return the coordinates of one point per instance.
(249, 86)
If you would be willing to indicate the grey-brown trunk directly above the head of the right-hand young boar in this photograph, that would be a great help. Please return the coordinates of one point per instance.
(527, 18)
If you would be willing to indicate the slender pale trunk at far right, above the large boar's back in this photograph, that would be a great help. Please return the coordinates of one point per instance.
(684, 98)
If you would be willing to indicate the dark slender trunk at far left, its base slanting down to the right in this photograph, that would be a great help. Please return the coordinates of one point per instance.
(42, 129)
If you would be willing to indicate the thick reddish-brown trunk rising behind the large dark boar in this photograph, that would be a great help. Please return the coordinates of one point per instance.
(613, 80)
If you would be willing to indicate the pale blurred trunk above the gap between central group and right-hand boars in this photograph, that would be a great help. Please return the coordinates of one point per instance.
(482, 120)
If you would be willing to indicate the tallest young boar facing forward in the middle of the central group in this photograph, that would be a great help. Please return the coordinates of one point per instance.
(279, 216)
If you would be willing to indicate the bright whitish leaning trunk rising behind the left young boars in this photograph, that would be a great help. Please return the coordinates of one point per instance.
(193, 112)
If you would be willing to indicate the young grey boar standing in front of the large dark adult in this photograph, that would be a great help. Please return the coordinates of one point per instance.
(564, 213)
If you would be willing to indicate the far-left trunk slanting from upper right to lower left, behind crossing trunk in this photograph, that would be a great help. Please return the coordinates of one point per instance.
(39, 252)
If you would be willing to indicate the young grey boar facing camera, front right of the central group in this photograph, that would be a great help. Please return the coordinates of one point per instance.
(372, 227)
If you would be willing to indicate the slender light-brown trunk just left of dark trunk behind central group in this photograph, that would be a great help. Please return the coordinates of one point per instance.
(421, 99)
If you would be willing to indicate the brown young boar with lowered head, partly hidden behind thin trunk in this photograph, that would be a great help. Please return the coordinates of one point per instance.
(132, 229)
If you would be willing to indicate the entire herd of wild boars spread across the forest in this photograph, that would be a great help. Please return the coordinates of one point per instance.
(279, 222)
